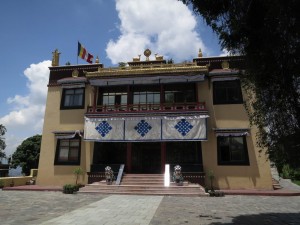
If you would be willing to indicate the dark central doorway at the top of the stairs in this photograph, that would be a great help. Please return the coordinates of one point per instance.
(146, 157)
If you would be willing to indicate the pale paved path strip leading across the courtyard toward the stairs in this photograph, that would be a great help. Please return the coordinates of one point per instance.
(115, 209)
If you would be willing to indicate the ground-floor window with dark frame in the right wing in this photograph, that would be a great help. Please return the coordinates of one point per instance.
(232, 150)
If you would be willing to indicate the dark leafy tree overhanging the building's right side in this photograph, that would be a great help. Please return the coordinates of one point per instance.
(267, 33)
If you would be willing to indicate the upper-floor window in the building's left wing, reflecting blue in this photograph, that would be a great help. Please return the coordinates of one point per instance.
(73, 98)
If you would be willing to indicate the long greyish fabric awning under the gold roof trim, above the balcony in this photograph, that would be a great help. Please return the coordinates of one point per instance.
(147, 80)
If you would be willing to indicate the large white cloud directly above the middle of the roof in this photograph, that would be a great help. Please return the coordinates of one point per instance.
(166, 27)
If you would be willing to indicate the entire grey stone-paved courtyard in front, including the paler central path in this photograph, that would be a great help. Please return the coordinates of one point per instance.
(43, 207)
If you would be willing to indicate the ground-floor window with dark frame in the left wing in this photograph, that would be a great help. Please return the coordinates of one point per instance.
(68, 152)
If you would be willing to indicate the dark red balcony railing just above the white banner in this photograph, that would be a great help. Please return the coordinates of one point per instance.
(163, 107)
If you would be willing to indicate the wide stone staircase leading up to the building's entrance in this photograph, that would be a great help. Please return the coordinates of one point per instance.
(144, 184)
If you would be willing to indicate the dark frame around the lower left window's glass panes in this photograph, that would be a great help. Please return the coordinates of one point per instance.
(58, 148)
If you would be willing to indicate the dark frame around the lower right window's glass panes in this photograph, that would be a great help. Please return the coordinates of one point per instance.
(244, 162)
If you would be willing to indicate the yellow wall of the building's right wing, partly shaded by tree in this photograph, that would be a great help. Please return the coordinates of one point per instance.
(255, 176)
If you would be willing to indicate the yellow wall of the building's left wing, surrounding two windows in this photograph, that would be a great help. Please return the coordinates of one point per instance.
(61, 120)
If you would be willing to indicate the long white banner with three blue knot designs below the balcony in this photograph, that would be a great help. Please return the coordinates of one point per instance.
(146, 129)
